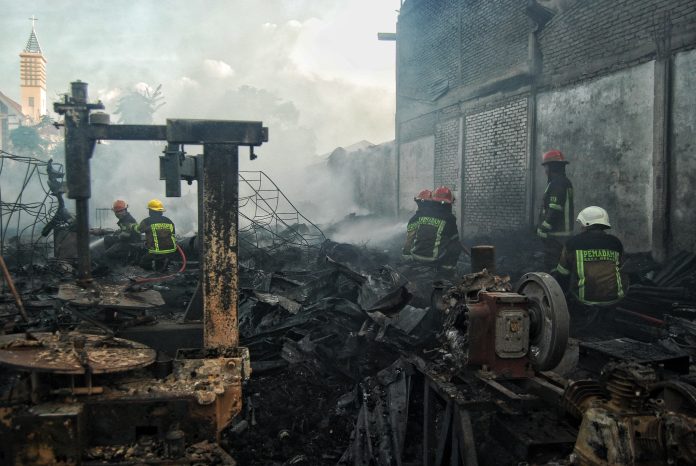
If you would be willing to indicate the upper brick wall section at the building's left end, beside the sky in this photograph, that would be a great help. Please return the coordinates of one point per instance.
(445, 44)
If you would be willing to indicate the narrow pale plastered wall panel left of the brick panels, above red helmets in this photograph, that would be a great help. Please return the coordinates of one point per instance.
(416, 170)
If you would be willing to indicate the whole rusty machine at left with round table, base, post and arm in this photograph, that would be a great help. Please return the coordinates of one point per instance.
(87, 390)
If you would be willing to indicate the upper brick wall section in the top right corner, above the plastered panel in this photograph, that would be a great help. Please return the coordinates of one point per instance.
(593, 31)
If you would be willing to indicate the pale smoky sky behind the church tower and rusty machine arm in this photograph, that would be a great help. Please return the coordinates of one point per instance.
(311, 70)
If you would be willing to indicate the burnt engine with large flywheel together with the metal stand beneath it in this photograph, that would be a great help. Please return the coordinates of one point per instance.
(499, 345)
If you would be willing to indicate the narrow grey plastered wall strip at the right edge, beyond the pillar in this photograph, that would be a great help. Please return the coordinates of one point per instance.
(683, 206)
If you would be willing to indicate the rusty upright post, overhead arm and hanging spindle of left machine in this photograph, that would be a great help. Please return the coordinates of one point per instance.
(217, 175)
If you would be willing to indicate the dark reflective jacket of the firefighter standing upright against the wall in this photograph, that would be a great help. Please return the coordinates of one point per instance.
(557, 216)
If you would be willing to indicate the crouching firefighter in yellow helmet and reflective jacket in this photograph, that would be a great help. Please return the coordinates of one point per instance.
(159, 236)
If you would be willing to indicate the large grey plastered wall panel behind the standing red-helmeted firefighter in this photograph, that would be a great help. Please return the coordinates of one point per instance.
(604, 127)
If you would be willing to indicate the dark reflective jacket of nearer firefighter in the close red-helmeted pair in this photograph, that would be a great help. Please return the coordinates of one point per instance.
(432, 236)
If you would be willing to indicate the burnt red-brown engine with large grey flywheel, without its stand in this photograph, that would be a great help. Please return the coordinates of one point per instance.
(506, 334)
